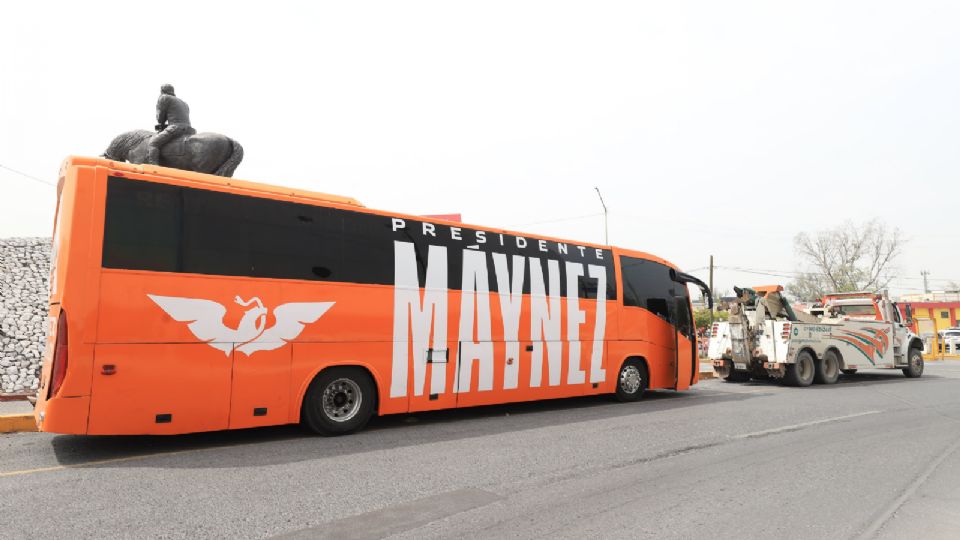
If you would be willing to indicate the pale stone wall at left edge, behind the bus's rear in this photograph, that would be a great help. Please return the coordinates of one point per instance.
(24, 292)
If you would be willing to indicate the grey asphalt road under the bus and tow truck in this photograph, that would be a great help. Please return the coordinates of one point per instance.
(875, 456)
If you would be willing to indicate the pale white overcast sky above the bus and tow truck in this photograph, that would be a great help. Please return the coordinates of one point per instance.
(719, 128)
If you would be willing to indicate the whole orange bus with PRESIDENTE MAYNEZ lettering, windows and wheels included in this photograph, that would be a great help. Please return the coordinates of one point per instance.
(183, 302)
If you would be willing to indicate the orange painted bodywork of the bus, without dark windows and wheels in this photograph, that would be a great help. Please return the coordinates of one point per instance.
(141, 361)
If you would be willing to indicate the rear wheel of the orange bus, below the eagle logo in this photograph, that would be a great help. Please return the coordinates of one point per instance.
(340, 400)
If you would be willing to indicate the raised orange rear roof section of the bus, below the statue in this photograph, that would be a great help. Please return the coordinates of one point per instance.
(202, 178)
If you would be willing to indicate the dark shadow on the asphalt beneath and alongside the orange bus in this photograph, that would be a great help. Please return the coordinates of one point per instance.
(287, 444)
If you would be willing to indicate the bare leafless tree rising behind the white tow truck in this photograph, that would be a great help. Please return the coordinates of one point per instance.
(846, 258)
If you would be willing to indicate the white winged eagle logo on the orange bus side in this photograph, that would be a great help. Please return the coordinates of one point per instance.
(205, 320)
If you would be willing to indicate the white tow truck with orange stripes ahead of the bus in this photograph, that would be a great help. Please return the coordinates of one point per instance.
(858, 330)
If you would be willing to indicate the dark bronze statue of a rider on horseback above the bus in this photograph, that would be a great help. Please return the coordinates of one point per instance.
(177, 144)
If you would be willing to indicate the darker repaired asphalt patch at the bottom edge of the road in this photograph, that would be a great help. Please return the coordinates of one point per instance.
(398, 517)
